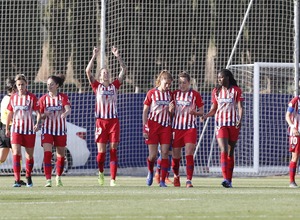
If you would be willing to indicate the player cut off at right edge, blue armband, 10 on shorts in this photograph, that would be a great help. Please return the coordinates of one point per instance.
(292, 117)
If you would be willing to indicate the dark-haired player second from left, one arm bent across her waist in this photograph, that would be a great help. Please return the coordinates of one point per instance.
(54, 107)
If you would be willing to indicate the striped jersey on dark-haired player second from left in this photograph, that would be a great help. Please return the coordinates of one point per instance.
(54, 124)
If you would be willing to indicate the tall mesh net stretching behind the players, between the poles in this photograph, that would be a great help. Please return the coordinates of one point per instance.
(44, 37)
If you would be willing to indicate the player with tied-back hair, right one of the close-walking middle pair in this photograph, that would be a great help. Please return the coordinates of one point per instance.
(188, 105)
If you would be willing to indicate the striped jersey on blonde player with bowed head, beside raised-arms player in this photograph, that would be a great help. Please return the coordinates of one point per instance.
(159, 106)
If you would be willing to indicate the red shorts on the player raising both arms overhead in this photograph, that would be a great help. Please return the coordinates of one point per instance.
(107, 130)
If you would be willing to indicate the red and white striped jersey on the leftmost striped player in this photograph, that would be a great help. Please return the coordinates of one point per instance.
(22, 108)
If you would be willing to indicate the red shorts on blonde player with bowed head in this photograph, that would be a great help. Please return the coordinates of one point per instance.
(158, 134)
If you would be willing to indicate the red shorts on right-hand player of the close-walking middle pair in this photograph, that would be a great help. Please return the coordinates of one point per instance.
(182, 137)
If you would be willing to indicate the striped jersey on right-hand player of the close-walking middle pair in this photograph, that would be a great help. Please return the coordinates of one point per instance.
(184, 103)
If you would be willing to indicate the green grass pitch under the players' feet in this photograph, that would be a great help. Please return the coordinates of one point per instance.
(82, 198)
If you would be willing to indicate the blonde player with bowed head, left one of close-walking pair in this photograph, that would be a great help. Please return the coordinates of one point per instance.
(157, 124)
